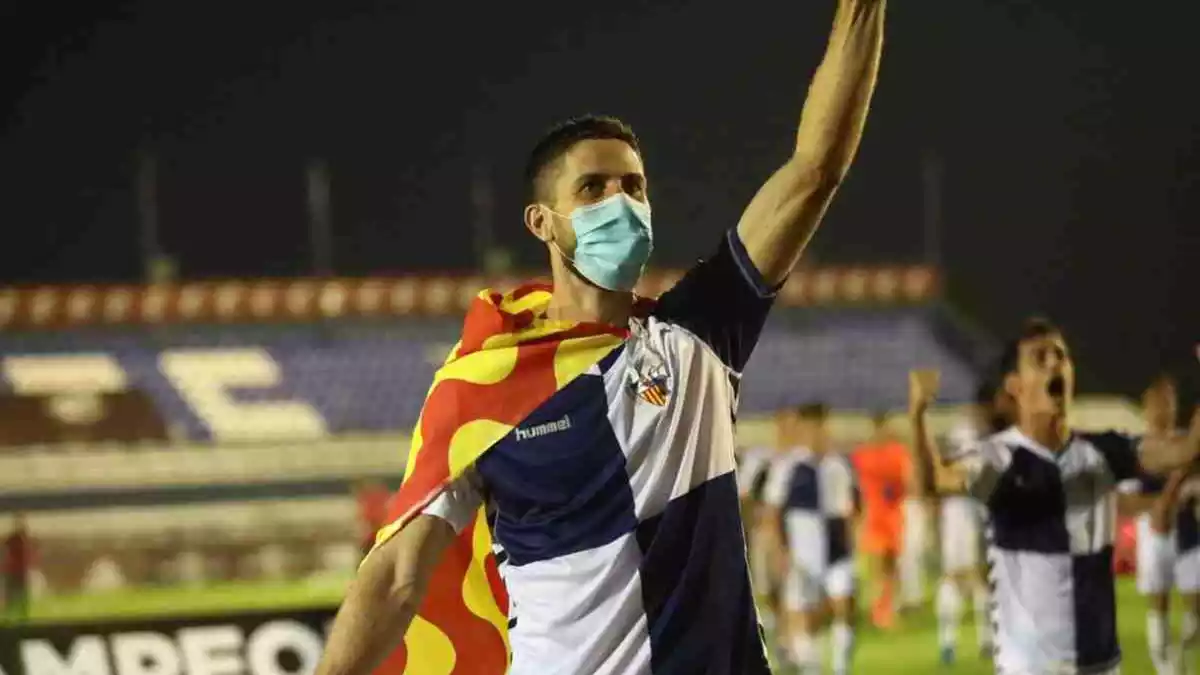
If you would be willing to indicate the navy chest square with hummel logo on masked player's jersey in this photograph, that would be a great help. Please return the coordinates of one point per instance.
(559, 481)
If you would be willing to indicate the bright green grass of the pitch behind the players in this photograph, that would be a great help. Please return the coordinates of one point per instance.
(910, 649)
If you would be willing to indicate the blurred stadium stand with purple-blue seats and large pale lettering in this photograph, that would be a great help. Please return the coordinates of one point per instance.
(183, 435)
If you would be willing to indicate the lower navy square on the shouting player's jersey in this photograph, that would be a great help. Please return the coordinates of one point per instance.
(1096, 641)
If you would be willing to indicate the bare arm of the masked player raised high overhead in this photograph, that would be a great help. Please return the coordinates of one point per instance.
(788, 210)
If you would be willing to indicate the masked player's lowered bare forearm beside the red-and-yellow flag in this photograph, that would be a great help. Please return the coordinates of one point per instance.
(385, 598)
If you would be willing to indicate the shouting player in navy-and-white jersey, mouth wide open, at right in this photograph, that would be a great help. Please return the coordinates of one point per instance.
(1051, 498)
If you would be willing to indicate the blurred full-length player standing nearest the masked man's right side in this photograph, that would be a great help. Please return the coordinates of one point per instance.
(812, 498)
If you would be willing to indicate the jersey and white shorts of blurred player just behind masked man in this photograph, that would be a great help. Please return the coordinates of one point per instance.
(815, 495)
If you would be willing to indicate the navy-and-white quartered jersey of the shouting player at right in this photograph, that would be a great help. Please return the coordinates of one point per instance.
(1052, 527)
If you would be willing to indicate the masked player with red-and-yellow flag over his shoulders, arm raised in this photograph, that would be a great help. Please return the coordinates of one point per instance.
(599, 431)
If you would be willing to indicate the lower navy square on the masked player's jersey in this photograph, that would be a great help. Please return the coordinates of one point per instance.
(698, 543)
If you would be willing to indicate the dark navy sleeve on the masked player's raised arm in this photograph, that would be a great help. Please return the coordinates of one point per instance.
(724, 301)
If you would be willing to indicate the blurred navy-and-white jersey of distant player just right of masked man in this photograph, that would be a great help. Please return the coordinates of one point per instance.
(817, 497)
